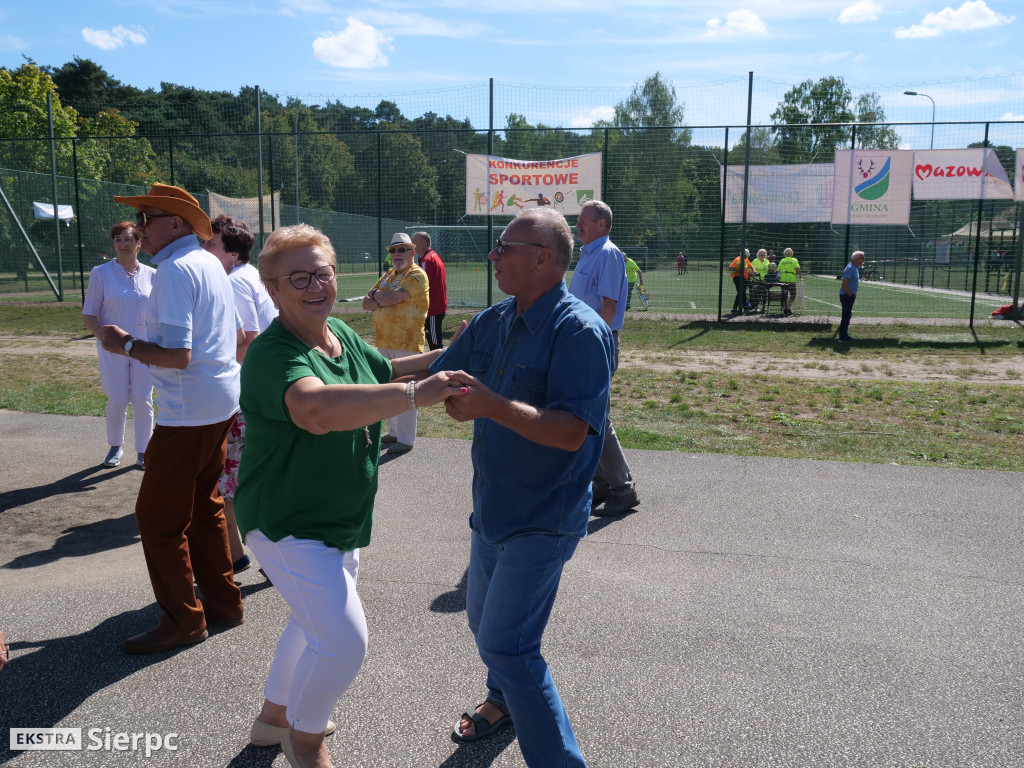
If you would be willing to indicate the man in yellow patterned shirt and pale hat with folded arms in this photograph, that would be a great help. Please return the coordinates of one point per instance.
(399, 302)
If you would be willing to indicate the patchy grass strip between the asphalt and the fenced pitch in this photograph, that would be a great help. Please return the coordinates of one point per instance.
(660, 404)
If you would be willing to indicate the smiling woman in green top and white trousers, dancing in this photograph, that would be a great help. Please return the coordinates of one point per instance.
(314, 395)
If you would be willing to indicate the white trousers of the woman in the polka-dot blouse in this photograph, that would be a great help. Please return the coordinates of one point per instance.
(126, 380)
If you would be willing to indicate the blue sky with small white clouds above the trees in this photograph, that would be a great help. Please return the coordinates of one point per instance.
(960, 54)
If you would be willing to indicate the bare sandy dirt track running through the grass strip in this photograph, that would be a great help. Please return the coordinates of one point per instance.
(932, 368)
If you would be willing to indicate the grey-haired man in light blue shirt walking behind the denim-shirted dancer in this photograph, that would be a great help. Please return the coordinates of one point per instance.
(601, 283)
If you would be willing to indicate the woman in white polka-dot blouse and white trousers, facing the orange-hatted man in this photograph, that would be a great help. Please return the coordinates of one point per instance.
(117, 295)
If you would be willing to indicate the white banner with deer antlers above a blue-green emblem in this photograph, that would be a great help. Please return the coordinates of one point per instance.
(873, 187)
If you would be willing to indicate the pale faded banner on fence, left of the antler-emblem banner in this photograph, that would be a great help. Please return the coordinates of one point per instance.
(779, 194)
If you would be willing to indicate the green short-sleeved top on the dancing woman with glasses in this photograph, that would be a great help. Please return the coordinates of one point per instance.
(292, 483)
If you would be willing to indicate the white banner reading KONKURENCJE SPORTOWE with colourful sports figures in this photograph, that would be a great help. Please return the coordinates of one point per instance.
(503, 187)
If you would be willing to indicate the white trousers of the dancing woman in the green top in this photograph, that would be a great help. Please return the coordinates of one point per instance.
(325, 641)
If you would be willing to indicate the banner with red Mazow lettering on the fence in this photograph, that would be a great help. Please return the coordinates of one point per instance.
(960, 175)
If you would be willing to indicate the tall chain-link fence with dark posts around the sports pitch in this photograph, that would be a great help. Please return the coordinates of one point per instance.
(665, 186)
